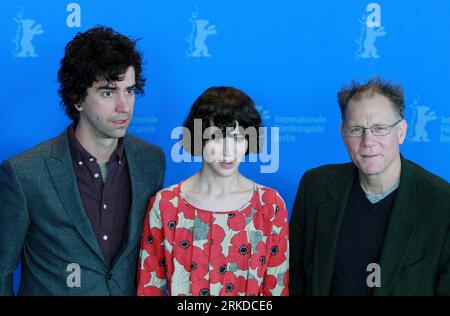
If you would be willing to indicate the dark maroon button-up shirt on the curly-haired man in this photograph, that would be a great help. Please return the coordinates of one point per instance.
(107, 204)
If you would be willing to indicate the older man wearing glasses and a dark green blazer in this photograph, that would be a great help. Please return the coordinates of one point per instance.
(378, 225)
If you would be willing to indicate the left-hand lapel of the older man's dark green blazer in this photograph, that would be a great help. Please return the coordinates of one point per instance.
(328, 224)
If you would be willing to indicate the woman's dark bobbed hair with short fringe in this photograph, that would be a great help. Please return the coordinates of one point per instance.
(221, 107)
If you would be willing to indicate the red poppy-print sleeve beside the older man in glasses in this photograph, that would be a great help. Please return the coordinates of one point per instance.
(276, 279)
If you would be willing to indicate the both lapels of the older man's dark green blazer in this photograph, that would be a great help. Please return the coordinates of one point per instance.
(330, 214)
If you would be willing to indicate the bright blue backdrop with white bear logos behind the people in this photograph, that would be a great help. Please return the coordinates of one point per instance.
(290, 56)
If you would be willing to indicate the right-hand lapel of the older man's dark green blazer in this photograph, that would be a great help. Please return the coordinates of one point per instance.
(398, 231)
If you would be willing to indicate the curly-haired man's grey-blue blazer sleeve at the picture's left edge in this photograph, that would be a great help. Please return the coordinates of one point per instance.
(14, 223)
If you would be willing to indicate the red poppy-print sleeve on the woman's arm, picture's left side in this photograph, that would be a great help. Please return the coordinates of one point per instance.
(152, 270)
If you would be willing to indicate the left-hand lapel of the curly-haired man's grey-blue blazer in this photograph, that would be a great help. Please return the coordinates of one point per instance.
(60, 168)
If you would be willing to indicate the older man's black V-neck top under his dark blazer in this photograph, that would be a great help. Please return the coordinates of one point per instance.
(360, 242)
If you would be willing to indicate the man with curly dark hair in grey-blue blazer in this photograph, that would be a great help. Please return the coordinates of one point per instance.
(72, 207)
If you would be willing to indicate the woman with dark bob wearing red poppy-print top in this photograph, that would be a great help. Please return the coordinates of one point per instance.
(218, 232)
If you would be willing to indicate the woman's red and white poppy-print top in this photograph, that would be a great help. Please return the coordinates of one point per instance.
(203, 252)
